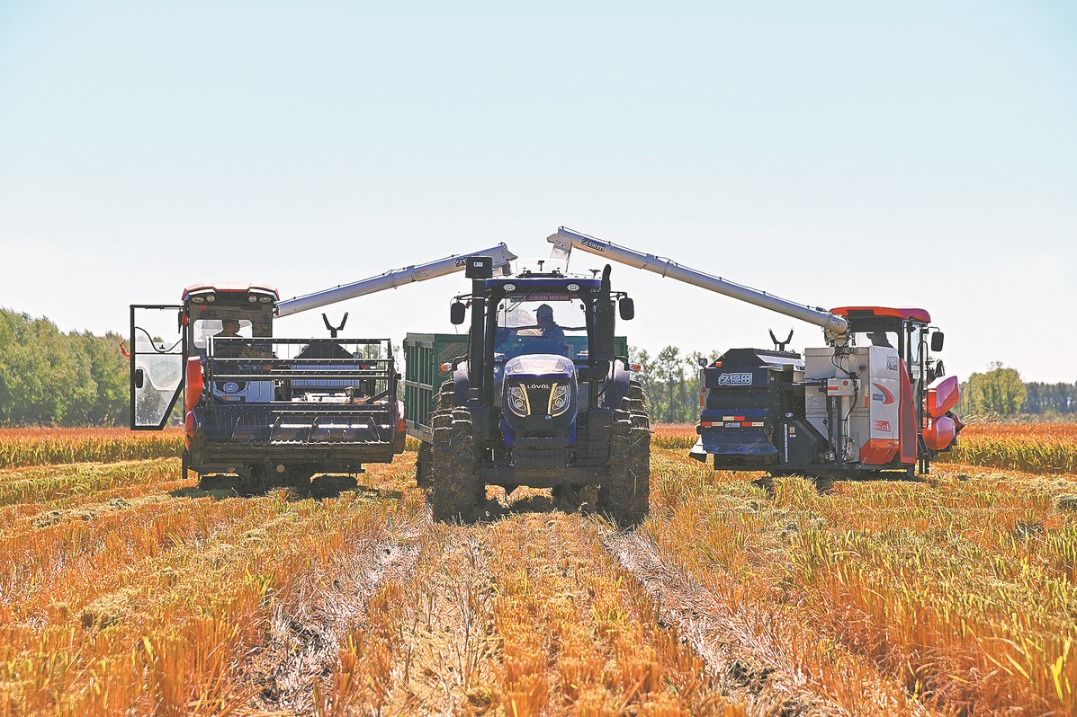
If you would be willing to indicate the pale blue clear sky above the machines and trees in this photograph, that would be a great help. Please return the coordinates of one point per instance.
(835, 153)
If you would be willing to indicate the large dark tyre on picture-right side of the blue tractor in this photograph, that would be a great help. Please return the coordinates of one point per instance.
(626, 496)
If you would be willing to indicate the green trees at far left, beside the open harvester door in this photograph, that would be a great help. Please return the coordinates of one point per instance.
(49, 377)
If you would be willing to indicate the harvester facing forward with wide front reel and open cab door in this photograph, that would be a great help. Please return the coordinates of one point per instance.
(270, 410)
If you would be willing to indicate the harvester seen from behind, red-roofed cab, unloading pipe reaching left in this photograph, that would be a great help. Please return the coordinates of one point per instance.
(874, 399)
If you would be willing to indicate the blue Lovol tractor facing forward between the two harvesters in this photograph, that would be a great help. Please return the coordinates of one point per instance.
(542, 397)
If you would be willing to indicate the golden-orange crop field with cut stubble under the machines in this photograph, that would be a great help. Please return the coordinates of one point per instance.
(127, 589)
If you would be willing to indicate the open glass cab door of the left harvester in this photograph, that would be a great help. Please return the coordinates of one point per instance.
(158, 362)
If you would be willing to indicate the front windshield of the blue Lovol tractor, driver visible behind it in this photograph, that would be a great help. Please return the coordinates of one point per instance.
(541, 324)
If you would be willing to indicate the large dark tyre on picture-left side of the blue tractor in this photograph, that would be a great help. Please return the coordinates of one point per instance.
(456, 489)
